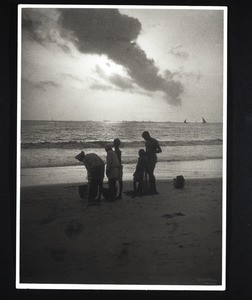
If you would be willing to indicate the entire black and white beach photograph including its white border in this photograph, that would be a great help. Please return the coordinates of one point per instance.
(121, 147)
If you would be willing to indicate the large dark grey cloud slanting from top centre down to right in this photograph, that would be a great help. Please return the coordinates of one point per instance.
(106, 31)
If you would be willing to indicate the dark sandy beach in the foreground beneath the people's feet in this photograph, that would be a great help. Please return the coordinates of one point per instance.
(173, 238)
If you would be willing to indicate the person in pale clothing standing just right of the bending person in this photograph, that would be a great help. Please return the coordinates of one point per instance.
(112, 169)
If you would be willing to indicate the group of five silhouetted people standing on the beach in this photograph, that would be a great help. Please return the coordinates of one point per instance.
(114, 170)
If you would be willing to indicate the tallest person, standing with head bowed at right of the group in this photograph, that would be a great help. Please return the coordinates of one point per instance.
(152, 148)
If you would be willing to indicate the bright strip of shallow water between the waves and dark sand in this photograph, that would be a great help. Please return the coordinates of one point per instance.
(210, 168)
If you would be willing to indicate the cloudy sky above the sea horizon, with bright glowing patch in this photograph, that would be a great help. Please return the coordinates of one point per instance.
(121, 64)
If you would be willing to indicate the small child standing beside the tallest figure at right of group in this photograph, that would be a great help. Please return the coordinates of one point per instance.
(140, 173)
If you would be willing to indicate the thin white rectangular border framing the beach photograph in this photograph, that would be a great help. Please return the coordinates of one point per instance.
(221, 287)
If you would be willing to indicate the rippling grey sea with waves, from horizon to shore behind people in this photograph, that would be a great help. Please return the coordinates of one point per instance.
(54, 144)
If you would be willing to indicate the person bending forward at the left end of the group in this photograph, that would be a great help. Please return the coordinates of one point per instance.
(95, 170)
